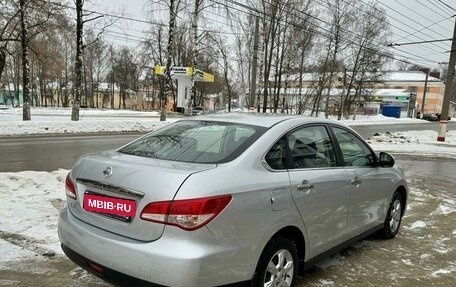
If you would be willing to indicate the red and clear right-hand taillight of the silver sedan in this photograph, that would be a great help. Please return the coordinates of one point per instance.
(188, 214)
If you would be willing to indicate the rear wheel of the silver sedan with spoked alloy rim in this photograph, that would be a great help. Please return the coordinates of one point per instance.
(281, 256)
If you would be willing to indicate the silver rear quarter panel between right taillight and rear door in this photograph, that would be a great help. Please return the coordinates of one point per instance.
(251, 218)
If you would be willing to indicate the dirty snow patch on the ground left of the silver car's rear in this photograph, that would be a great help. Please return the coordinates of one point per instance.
(29, 206)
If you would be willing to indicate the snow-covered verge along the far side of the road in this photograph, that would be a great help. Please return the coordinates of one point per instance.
(58, 121)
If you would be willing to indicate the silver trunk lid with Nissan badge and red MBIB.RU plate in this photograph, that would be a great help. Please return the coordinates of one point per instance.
(113, 188)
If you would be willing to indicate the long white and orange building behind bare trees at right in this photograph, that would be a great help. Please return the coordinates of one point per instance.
(404, 89)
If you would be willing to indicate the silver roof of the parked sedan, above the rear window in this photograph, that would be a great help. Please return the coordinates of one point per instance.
(257, 119)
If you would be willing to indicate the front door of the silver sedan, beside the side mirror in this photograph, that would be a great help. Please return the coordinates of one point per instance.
(369, 182)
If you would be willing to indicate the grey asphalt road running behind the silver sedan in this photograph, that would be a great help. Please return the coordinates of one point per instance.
(48, 153)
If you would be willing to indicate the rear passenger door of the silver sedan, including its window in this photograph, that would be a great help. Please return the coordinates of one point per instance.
(320, 187)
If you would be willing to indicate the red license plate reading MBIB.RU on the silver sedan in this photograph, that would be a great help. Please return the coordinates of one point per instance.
(109, 205)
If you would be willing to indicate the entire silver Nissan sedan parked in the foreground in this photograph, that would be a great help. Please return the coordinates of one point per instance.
(222, 199)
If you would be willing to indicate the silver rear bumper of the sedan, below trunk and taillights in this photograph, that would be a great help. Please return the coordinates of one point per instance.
(169, 261)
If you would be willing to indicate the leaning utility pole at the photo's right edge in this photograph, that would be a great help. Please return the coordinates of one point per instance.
(448, 90)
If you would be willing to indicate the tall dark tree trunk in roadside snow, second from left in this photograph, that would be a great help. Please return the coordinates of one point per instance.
(78, 62)
